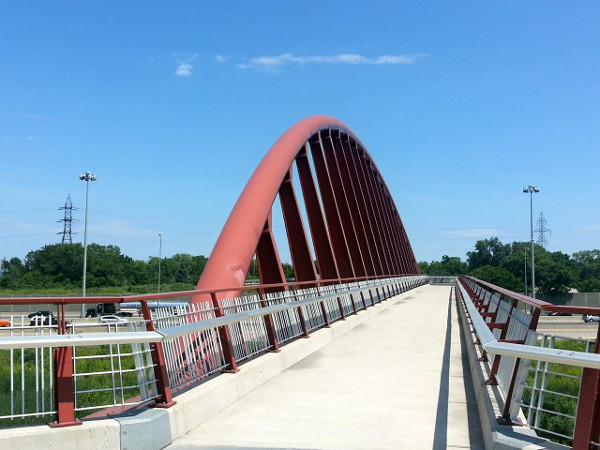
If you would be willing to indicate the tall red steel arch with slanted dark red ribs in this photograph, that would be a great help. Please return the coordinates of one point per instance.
(355, 226)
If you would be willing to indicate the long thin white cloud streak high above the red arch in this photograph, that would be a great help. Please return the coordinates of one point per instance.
(271, 62)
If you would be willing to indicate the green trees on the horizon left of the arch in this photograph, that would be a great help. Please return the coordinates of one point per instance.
(60, 266)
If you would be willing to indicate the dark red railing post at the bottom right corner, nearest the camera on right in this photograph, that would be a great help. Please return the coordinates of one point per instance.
(587, 424)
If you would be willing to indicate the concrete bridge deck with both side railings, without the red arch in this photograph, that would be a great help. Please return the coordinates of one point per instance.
(410, 362)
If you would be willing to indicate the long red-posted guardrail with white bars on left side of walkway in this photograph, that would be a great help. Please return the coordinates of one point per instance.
(65, 372)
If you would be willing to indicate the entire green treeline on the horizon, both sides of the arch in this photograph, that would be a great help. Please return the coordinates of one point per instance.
(59, 267)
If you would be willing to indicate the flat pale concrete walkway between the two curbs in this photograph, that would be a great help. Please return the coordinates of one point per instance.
(394, 382)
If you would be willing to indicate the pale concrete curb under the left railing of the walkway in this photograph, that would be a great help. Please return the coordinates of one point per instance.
(157, 428)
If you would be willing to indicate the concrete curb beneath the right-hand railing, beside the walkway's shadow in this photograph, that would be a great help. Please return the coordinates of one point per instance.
(489, 403)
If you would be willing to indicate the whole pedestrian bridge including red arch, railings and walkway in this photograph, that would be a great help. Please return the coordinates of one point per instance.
(360, 350)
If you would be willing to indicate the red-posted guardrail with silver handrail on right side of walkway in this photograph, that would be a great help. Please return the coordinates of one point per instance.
(525, 361)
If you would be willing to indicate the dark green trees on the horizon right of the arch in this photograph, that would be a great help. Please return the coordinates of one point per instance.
(506, 265)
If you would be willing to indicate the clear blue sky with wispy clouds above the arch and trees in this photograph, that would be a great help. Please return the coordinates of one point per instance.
(173, 105)
